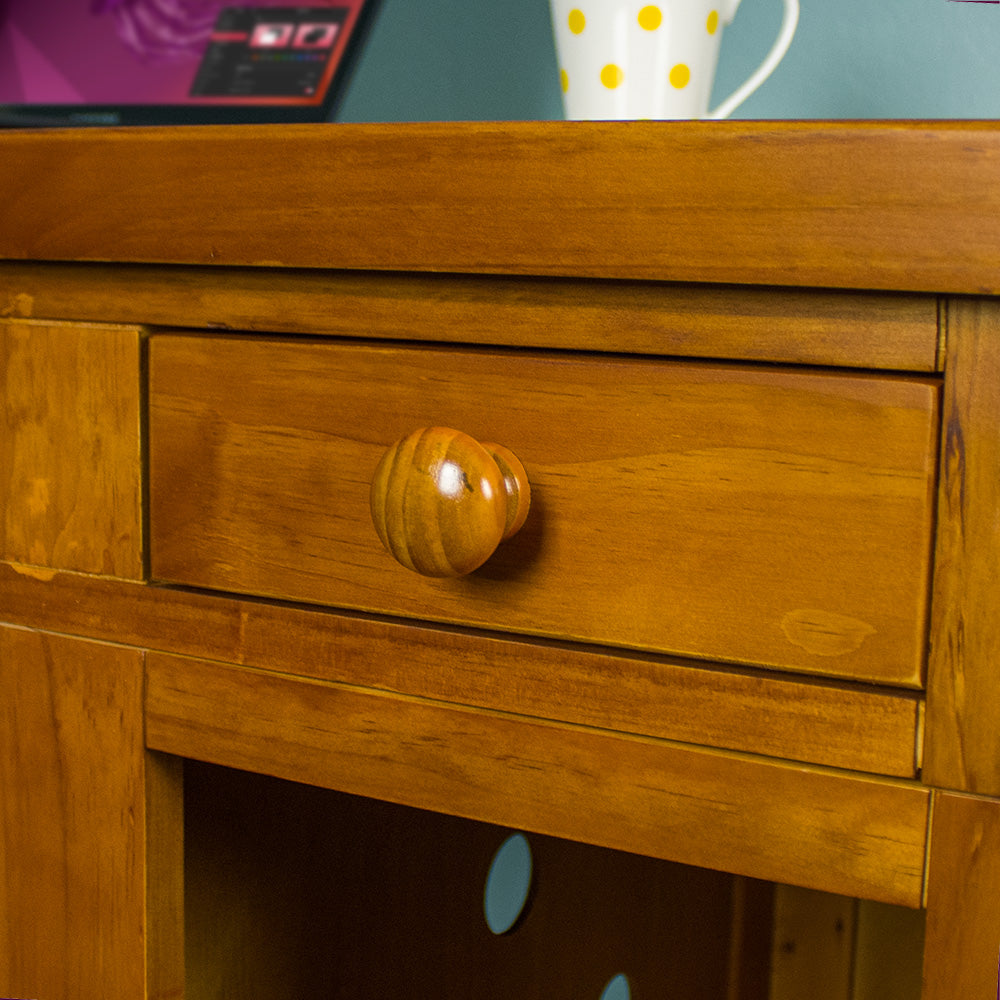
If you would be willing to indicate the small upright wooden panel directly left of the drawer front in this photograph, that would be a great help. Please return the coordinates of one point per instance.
(70, 486)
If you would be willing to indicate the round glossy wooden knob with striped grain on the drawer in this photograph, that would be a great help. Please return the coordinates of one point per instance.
(442, 502)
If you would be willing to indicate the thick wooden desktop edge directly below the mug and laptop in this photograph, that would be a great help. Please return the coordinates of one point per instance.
(890, 205)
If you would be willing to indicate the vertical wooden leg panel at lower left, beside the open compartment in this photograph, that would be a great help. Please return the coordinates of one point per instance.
(73, 842)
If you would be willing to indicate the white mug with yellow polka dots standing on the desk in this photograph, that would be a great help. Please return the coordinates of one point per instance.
(623, 59)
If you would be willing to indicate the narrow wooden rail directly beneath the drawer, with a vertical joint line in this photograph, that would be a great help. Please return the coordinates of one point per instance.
(856, 727)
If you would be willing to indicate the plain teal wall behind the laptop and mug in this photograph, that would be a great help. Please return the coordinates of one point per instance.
(472, 60)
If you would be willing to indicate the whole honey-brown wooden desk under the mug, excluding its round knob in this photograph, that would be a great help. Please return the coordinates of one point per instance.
(749, 626)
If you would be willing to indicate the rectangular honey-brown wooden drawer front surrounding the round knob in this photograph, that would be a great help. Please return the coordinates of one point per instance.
(761, 515)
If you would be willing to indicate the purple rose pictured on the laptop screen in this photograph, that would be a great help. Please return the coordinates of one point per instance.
(162, 30)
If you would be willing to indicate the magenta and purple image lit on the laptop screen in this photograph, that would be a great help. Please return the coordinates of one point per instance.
(170, 52)
